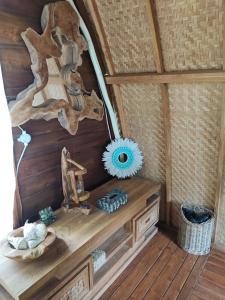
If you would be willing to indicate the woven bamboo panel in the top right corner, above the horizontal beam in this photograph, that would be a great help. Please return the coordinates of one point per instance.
(191, 33)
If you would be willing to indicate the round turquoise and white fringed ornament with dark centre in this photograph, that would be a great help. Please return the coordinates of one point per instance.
(123, 158)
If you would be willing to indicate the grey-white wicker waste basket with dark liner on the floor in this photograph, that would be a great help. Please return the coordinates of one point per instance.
(195, 238)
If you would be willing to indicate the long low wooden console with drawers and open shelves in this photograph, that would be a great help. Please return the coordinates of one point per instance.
(65, 271)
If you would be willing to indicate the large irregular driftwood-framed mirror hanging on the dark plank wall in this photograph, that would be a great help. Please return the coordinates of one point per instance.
(57, 90)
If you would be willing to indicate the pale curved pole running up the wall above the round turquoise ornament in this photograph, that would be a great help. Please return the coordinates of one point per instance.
(98, 73)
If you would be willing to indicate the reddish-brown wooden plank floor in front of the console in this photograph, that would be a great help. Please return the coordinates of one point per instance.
(164, 271)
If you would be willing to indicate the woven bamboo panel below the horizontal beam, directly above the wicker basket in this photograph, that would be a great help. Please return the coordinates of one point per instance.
(195, 128)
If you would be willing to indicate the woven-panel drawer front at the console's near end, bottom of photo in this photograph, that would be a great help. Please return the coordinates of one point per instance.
(76, 288)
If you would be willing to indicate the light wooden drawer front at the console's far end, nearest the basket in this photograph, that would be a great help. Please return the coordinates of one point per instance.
(146, 220)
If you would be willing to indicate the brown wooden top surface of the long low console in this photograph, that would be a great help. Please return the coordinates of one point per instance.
(76, 232)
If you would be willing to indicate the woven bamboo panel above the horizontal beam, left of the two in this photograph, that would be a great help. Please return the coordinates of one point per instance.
(126, 27)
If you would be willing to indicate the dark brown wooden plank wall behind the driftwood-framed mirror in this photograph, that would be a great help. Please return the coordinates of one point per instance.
(39, 177)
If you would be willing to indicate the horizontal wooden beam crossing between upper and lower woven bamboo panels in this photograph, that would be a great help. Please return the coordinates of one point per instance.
(198, 76)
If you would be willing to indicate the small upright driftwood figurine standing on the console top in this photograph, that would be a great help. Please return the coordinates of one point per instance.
(73, 184)
